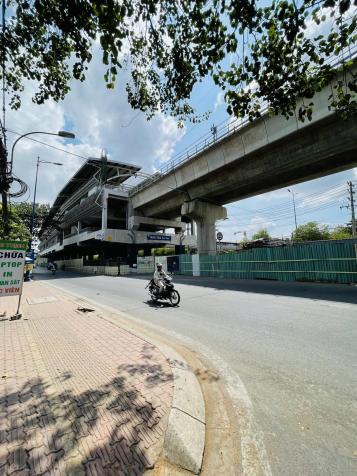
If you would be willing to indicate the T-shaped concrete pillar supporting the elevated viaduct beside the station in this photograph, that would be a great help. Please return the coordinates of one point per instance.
(205, 215)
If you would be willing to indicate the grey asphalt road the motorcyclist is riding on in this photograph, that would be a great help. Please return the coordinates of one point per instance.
(291, 346)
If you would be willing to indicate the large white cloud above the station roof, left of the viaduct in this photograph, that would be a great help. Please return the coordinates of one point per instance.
(101, 119)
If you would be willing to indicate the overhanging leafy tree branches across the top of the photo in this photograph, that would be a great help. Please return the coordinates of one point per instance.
(256, 54)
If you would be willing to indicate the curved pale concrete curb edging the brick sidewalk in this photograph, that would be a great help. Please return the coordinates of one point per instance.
(184, 441)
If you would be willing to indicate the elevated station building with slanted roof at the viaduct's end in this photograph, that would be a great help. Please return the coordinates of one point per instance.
(93, 217)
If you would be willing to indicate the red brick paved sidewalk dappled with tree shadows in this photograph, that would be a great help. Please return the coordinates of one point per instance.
(78, 395)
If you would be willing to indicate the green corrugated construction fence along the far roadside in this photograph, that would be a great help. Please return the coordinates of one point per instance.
(330, 261)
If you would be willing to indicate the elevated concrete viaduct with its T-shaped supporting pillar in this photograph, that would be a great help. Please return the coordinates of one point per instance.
(257, 157)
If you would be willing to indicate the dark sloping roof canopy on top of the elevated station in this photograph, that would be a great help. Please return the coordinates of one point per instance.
(107, 171)
